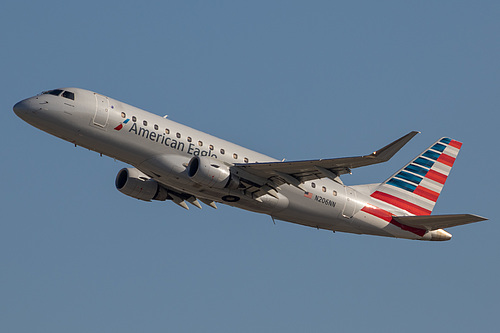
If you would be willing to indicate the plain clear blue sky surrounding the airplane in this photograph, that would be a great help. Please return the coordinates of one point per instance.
(291, 79)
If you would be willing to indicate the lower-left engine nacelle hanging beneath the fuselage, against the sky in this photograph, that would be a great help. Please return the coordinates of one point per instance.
(136, 184)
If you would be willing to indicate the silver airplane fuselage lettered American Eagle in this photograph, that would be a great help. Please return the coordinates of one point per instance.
(162, 149)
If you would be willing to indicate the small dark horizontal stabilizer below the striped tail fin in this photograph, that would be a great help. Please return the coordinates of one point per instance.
(434, 222)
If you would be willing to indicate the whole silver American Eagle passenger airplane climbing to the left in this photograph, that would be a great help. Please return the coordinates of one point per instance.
(174, 162)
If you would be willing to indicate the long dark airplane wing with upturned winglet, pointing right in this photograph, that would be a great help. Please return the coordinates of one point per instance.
(297, 172)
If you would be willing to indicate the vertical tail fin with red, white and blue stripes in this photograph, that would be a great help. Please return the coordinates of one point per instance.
(416, 187)
